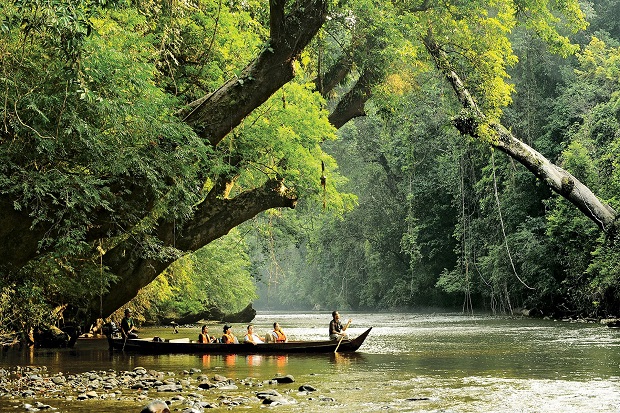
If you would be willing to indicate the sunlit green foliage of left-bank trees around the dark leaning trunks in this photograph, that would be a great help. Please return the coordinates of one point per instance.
(93, 149)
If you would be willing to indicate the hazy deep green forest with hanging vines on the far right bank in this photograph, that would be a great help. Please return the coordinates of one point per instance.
(443, 221)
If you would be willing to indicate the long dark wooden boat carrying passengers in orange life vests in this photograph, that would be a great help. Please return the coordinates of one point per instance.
(185, 345)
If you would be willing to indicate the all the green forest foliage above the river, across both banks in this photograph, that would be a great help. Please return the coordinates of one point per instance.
(97, 157)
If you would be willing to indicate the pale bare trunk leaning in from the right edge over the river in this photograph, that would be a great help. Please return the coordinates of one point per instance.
(558, 179)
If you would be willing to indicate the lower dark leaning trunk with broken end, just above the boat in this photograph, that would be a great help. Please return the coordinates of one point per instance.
(214, 218)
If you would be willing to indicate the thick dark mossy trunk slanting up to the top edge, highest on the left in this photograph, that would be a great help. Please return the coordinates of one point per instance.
(218, 113)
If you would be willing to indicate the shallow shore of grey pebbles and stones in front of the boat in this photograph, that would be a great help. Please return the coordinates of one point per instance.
(33, 389)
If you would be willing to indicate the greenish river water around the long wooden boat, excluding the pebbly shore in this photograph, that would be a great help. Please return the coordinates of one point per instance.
(409, 363)
